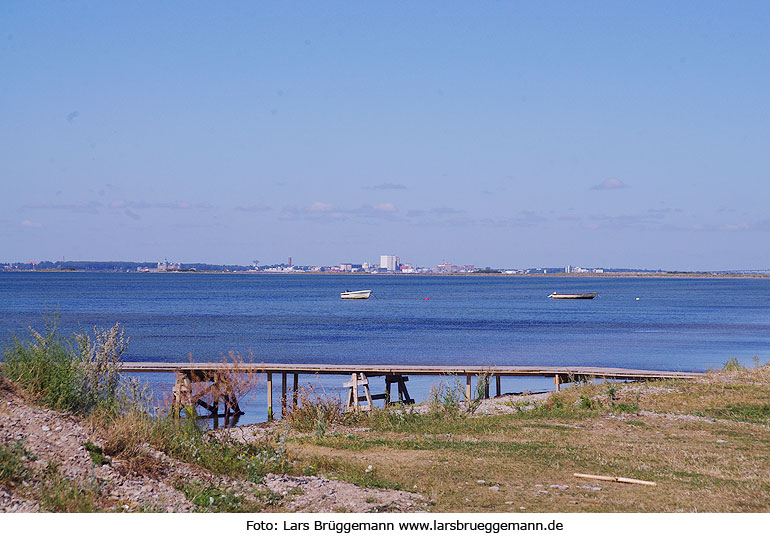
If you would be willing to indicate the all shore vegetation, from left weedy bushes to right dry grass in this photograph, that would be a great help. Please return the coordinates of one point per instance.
(703, 442)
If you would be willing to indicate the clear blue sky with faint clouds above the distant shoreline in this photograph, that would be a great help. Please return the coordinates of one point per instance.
(510, 134)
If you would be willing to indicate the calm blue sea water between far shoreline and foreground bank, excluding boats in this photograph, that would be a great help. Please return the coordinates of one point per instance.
(678, 324)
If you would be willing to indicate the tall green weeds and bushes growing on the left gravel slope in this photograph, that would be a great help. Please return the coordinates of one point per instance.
(81, 376)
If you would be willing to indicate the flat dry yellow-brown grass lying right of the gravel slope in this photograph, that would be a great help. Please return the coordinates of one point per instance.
(703, 442)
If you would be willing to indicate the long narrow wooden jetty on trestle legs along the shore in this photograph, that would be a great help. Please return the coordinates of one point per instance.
(197, 382)
